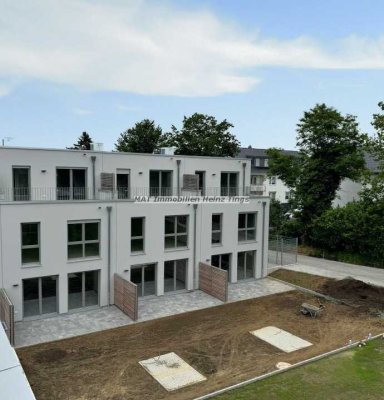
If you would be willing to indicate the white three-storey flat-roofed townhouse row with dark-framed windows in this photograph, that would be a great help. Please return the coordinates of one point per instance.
(71, 219)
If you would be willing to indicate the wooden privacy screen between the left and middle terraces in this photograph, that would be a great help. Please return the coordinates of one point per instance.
(126, 296)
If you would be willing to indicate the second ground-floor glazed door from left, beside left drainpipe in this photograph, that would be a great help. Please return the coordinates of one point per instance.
(83, 289)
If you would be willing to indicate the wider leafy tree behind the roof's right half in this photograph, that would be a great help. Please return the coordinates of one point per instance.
(202, 135)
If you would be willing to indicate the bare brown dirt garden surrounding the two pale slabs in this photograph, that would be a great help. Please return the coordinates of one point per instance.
(215, 341)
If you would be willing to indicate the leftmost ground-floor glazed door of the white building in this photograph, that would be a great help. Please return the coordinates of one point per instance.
(40, 296)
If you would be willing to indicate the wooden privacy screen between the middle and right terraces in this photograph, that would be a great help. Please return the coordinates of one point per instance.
(214, 281)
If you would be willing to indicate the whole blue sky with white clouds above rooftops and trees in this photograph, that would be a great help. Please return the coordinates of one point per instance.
(100, 66)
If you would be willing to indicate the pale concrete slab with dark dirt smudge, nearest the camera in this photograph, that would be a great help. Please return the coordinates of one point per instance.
(171, 371)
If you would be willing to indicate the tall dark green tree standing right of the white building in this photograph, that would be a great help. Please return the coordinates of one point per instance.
(330, 150)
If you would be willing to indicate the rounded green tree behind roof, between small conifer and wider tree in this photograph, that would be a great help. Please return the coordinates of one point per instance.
(144, 137)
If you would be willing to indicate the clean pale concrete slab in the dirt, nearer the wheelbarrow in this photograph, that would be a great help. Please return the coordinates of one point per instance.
(281, 339)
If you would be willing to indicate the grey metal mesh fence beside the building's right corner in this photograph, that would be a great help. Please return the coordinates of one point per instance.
(282, 250)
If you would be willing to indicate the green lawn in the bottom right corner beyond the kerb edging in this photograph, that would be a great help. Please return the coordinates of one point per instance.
(355, 374)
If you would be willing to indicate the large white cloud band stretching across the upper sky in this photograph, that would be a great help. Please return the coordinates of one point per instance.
(147, 48)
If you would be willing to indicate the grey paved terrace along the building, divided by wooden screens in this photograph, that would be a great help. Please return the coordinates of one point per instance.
(69, 325)
